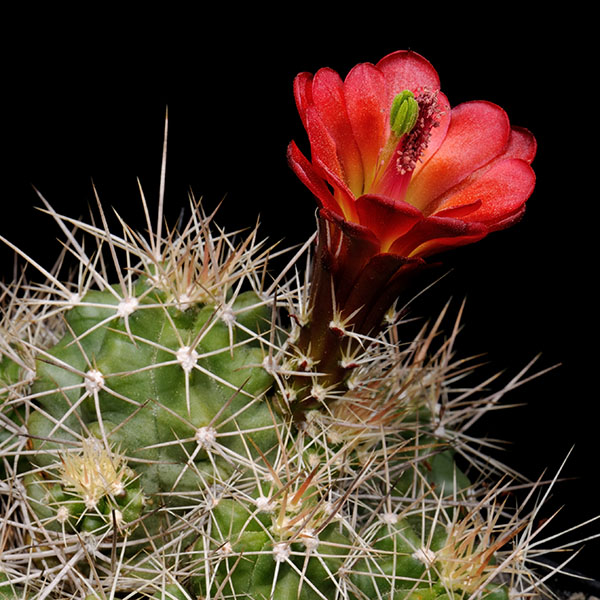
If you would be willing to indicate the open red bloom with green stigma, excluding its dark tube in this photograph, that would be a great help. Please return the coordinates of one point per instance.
(391, 164)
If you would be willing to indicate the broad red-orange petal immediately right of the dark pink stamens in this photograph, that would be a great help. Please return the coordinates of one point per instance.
(478, 132)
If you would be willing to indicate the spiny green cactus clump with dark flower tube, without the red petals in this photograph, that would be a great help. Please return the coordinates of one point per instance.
(180, 422)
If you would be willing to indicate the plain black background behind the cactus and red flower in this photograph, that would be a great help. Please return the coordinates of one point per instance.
(85, 100)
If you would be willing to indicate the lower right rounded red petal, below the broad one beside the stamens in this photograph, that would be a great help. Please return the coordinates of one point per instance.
(502, 189)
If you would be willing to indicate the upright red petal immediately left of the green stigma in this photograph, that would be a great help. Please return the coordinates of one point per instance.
(366, 98)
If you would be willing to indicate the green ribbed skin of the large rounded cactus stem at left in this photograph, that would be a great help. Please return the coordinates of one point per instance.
(123, 385)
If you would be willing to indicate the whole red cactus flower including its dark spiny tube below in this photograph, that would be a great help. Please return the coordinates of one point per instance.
(398, 176)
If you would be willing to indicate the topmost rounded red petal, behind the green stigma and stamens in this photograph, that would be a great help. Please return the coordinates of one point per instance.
(407, 70)
